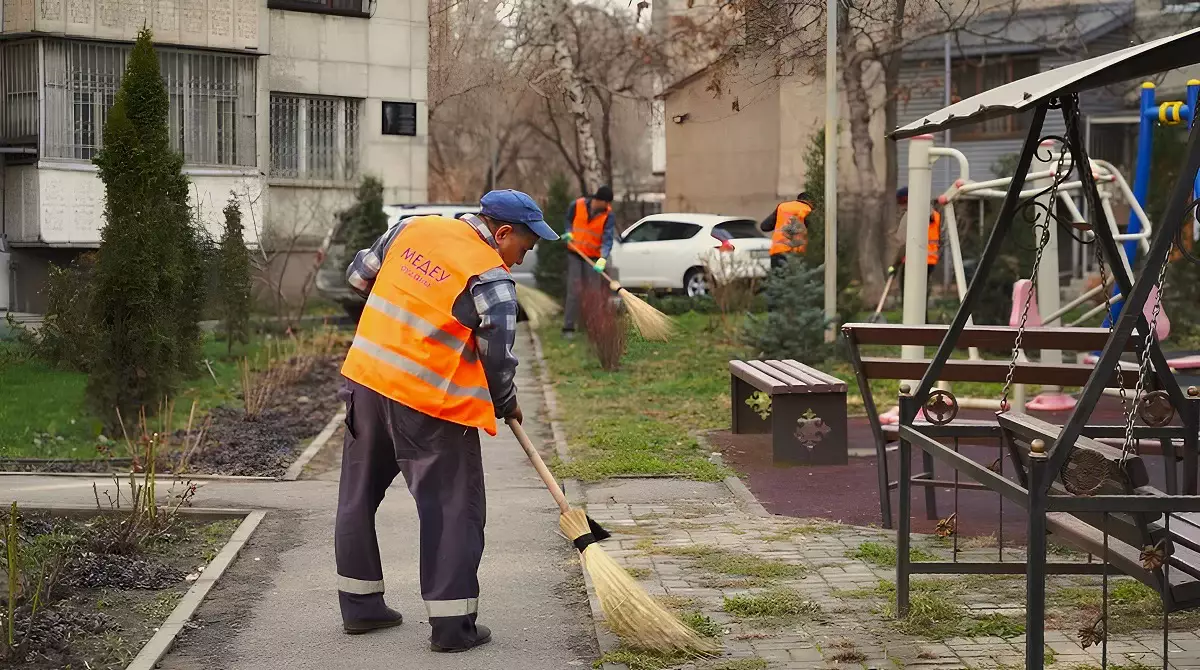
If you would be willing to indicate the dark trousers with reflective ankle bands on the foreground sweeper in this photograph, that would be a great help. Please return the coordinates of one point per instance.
(443, 468)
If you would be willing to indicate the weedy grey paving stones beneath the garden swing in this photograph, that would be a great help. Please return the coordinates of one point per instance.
(689, 552)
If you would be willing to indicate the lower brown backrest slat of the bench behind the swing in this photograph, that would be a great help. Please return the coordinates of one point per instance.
(1063, 375)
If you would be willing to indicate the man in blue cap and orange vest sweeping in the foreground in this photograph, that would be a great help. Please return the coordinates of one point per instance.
(431, 366)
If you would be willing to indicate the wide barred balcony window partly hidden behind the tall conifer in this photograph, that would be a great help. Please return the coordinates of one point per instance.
(212, 115)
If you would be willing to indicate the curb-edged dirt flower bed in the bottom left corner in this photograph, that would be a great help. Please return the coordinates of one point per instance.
(89, 593)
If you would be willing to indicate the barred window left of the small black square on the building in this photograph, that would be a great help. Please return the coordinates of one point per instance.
(315, 137)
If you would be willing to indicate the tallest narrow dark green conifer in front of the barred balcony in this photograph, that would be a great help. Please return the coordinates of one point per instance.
(148, 290)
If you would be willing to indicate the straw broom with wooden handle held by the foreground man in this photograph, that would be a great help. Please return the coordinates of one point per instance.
(631, 612)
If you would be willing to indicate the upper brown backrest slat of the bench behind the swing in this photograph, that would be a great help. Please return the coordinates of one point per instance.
(985, 337)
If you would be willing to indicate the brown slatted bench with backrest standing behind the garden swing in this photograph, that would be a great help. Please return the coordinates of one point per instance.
(994, 338)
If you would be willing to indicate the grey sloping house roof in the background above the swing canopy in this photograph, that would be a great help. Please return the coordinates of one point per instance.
(1065, 28)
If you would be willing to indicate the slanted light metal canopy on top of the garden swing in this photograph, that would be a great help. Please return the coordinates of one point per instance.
(1133, 63)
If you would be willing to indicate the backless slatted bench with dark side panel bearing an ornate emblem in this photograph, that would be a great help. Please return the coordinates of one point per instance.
(808, 410)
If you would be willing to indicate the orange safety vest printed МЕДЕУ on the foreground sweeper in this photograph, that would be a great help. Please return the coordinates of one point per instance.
(409, 346)
